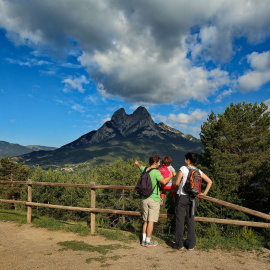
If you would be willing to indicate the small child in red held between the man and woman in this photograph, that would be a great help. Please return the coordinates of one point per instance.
(165, 170)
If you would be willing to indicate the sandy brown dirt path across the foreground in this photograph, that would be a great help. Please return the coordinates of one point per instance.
(26, 247)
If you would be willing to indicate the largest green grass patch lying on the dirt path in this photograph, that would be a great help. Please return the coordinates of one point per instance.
(82, 246)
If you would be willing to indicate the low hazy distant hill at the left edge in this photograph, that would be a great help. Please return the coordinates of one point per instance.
(12, 149)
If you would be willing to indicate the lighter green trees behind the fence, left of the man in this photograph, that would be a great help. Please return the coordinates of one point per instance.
(116, 173)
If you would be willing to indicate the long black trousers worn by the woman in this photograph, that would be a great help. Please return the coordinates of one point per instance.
(183, 207)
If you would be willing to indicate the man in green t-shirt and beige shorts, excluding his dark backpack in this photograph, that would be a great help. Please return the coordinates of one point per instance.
(151, 203)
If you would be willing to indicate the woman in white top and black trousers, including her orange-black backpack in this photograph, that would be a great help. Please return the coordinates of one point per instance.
(185, 204)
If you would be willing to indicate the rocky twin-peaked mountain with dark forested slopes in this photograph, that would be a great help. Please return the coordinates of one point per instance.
(125, 136)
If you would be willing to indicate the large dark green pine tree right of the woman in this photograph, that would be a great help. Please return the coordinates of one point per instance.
(236, 148)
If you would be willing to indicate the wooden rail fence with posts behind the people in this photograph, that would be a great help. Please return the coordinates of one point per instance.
(93, 210)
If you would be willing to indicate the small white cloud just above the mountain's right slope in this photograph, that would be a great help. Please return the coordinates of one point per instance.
(195, 116)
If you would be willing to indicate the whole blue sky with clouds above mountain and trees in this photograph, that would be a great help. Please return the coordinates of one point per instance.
(66, 66)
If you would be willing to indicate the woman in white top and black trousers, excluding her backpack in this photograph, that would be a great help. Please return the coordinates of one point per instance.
(183, 205)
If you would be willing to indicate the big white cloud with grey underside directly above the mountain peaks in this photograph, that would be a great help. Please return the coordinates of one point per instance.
(142, 77)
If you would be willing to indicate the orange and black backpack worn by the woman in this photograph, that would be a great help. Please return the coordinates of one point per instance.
(193, 183)
